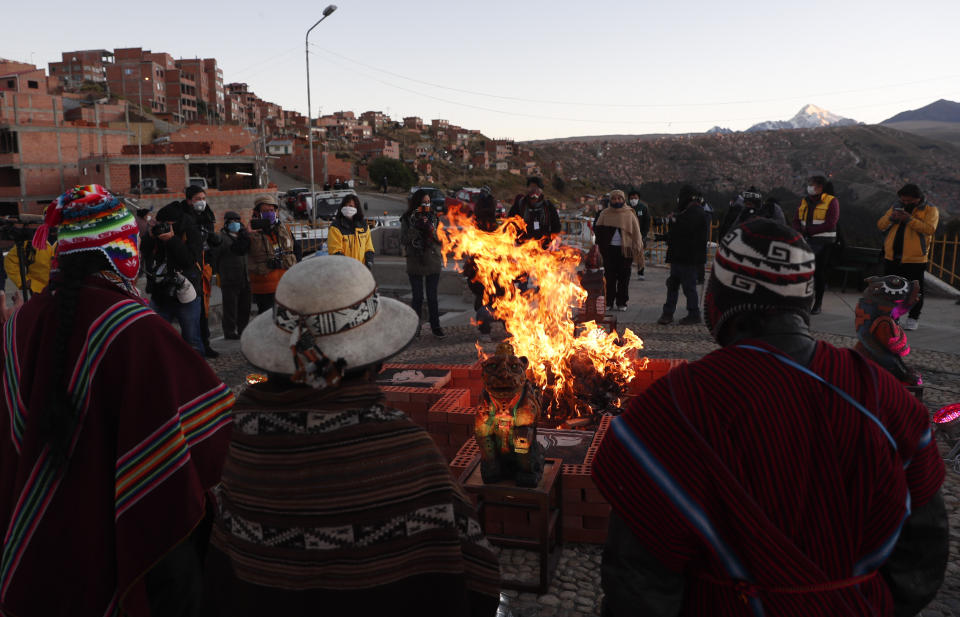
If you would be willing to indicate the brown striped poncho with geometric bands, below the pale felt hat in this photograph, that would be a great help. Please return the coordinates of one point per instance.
(333, 505)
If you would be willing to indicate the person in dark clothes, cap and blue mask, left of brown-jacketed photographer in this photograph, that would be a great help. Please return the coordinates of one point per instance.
(230, 264)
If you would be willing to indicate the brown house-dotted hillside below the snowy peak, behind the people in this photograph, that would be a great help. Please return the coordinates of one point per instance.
(867, 163)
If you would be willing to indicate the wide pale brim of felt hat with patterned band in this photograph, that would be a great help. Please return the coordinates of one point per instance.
(267, 347)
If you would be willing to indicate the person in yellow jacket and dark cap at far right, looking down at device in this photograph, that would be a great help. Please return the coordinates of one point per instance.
(909, 226)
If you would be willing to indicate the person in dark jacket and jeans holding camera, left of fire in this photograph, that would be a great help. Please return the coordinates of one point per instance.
(418, 235)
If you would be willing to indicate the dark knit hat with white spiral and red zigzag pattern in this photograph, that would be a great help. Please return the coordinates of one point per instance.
(760, 266)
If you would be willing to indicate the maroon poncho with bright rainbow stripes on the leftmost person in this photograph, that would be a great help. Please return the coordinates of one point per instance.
(151, 435)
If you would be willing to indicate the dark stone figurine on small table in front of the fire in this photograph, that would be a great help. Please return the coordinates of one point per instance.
(506, 423)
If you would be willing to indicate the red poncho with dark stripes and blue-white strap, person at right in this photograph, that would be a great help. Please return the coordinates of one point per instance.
(769, 491)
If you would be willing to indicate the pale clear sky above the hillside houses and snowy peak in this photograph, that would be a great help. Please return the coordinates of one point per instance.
(532, 69)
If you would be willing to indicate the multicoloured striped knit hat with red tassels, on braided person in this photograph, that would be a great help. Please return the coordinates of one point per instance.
(89, 218)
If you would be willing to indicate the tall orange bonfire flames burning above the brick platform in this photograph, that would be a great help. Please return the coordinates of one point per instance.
(565, 358)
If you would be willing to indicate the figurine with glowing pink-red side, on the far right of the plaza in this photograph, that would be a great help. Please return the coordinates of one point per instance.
(881, 338)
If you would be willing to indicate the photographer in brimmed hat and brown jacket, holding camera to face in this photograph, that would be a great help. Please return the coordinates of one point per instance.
(271, 251)
